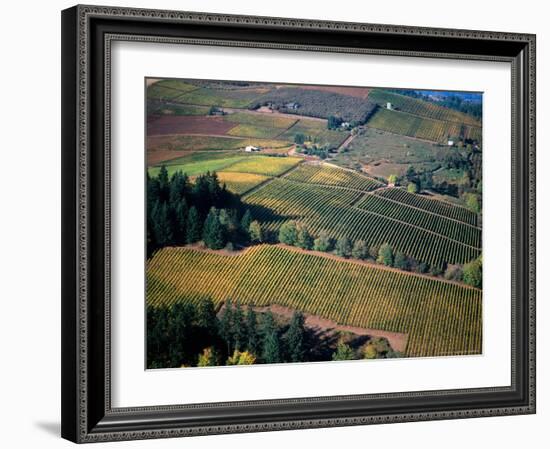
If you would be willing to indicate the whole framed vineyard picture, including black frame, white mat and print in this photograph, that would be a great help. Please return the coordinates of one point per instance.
(285, 223)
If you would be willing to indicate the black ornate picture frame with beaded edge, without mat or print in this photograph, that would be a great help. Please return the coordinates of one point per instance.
(87, 32)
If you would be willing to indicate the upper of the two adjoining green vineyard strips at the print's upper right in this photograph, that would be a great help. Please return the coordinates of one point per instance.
(422, 108)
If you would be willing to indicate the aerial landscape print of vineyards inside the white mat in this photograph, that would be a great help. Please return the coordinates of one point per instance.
(310, 223)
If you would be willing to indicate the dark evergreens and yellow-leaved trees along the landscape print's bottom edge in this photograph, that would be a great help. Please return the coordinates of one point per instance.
(187, 334)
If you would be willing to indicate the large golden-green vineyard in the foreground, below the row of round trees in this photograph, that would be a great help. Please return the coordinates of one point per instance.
(440, 318)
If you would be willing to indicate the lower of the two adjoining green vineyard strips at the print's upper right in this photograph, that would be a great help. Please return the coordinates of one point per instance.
(420, 127)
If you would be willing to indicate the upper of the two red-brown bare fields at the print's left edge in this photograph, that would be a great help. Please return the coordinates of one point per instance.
(189, 124)
